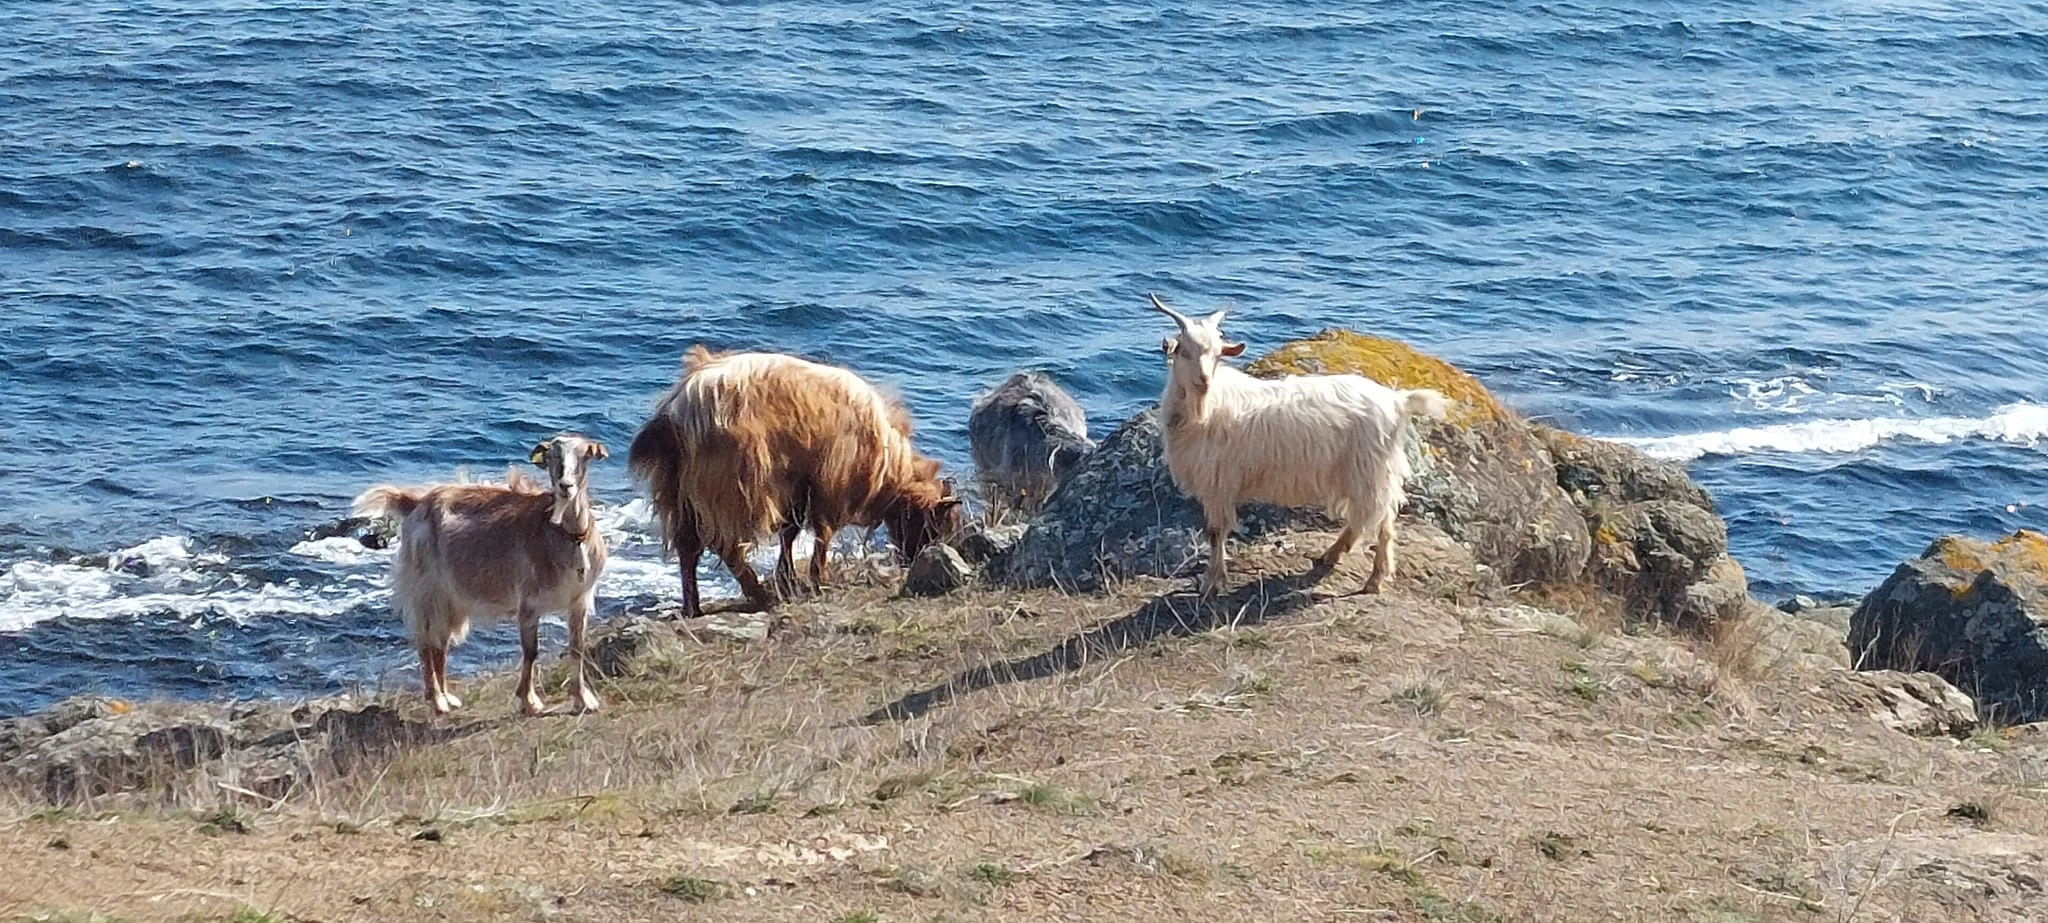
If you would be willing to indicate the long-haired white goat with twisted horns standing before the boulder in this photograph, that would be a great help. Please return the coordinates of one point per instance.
(1330, 441)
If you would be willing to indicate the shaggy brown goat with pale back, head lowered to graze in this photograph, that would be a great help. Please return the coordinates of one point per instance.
(749, 443)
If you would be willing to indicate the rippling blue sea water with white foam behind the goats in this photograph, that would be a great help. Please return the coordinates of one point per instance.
(261, 255)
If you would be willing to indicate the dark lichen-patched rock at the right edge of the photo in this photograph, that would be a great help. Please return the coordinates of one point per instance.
(1977, 613)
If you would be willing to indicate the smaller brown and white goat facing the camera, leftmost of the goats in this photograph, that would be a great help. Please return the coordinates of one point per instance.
(499, 552)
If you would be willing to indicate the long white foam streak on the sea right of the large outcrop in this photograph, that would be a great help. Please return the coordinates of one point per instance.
(2020, 425)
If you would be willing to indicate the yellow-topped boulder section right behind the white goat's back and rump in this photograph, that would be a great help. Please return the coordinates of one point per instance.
(1482, 474)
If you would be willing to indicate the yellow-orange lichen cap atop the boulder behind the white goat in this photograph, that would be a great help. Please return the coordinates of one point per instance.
(1388, 361)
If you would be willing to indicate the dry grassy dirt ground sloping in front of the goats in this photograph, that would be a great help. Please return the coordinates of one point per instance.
(1136, 756)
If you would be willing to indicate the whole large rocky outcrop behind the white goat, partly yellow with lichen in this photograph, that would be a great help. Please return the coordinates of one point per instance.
(1531, 502)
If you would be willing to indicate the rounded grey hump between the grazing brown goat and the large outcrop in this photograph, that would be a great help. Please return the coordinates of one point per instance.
(1027, 437)
